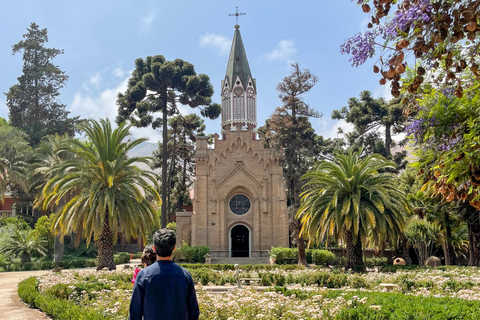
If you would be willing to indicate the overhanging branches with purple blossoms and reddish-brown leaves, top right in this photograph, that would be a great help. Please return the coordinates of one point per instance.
(442, 35)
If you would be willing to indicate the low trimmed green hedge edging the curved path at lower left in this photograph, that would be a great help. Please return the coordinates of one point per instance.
(59, 309)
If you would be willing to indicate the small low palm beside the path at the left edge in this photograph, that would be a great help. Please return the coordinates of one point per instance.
(23, 243)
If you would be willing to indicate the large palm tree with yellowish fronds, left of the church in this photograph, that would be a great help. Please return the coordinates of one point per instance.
(107, 193)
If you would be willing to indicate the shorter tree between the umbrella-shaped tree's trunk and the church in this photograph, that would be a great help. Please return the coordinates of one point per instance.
(181, 142)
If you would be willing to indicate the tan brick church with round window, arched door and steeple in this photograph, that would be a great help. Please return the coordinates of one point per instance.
(239, 205)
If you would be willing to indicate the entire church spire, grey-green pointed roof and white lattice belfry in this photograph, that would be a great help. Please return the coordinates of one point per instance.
(239, 93)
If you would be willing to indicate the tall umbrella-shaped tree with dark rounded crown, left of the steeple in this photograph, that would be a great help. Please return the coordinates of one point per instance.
(155, 87)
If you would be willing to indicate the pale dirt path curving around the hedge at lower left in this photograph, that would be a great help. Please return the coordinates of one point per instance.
(11, 307)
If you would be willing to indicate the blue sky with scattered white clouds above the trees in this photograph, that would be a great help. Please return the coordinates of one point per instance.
(102, 39)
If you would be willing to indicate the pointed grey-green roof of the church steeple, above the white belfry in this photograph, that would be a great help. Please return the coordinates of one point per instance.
(238, 62)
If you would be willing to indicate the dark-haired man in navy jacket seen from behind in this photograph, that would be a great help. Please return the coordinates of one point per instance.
(164, 290)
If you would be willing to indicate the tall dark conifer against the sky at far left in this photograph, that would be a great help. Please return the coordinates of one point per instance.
(33, 102)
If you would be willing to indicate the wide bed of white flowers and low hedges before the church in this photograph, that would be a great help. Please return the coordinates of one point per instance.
(425, 294)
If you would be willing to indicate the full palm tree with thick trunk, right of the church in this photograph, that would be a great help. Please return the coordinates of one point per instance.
(353, 199)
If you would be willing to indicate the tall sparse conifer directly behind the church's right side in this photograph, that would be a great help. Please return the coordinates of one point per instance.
(289, 128)
